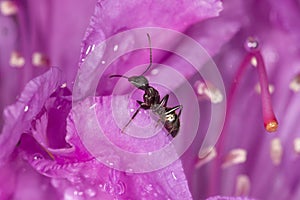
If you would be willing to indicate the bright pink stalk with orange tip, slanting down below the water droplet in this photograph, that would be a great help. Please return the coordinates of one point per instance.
(270, 121)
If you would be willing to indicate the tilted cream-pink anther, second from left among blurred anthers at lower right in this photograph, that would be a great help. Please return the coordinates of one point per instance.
(235, 156)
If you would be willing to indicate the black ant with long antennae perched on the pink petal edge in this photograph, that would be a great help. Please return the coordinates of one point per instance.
(153, 102)
